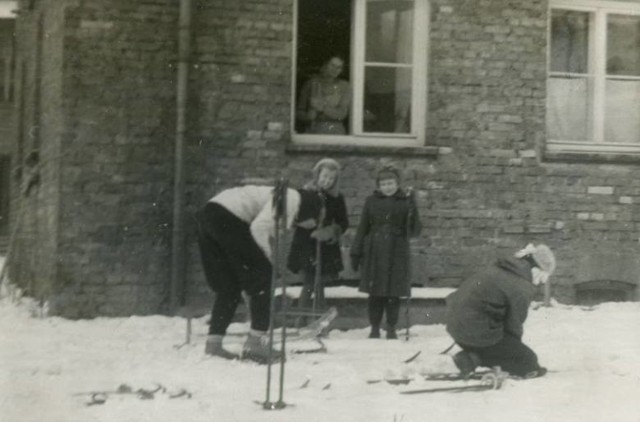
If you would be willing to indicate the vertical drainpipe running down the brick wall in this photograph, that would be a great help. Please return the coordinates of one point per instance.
(177, 288)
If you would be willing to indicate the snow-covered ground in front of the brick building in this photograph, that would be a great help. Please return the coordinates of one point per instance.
(593, 356)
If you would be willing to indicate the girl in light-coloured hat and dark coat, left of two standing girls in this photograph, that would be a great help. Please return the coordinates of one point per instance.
(302, 255)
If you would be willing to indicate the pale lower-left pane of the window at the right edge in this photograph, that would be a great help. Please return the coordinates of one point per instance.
(567, 108)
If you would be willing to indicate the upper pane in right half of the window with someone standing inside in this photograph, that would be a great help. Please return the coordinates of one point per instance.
(389, 33)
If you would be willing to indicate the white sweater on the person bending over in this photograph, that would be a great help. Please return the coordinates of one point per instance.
(253, 205)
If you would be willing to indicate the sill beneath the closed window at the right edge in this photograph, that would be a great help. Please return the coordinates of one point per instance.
(590, 153)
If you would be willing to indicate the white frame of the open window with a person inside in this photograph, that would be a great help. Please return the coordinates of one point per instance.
(419, 87)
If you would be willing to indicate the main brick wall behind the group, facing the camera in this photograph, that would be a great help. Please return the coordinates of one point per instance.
(487, 190)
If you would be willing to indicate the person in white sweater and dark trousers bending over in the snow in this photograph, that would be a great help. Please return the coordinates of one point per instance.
(234, 231)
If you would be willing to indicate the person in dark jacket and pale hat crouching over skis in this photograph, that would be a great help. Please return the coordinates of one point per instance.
(485, 316)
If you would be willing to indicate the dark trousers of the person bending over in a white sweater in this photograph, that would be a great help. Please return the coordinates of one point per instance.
(233, 262)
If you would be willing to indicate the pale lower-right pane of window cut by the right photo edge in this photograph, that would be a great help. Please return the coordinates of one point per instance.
(622, 112)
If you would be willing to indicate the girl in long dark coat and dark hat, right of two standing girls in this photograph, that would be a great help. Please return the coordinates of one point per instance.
(389, 218)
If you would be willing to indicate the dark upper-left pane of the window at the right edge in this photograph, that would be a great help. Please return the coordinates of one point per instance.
(569, 41)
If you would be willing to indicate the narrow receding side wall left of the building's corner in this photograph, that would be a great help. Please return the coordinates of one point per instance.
(39, 122)
